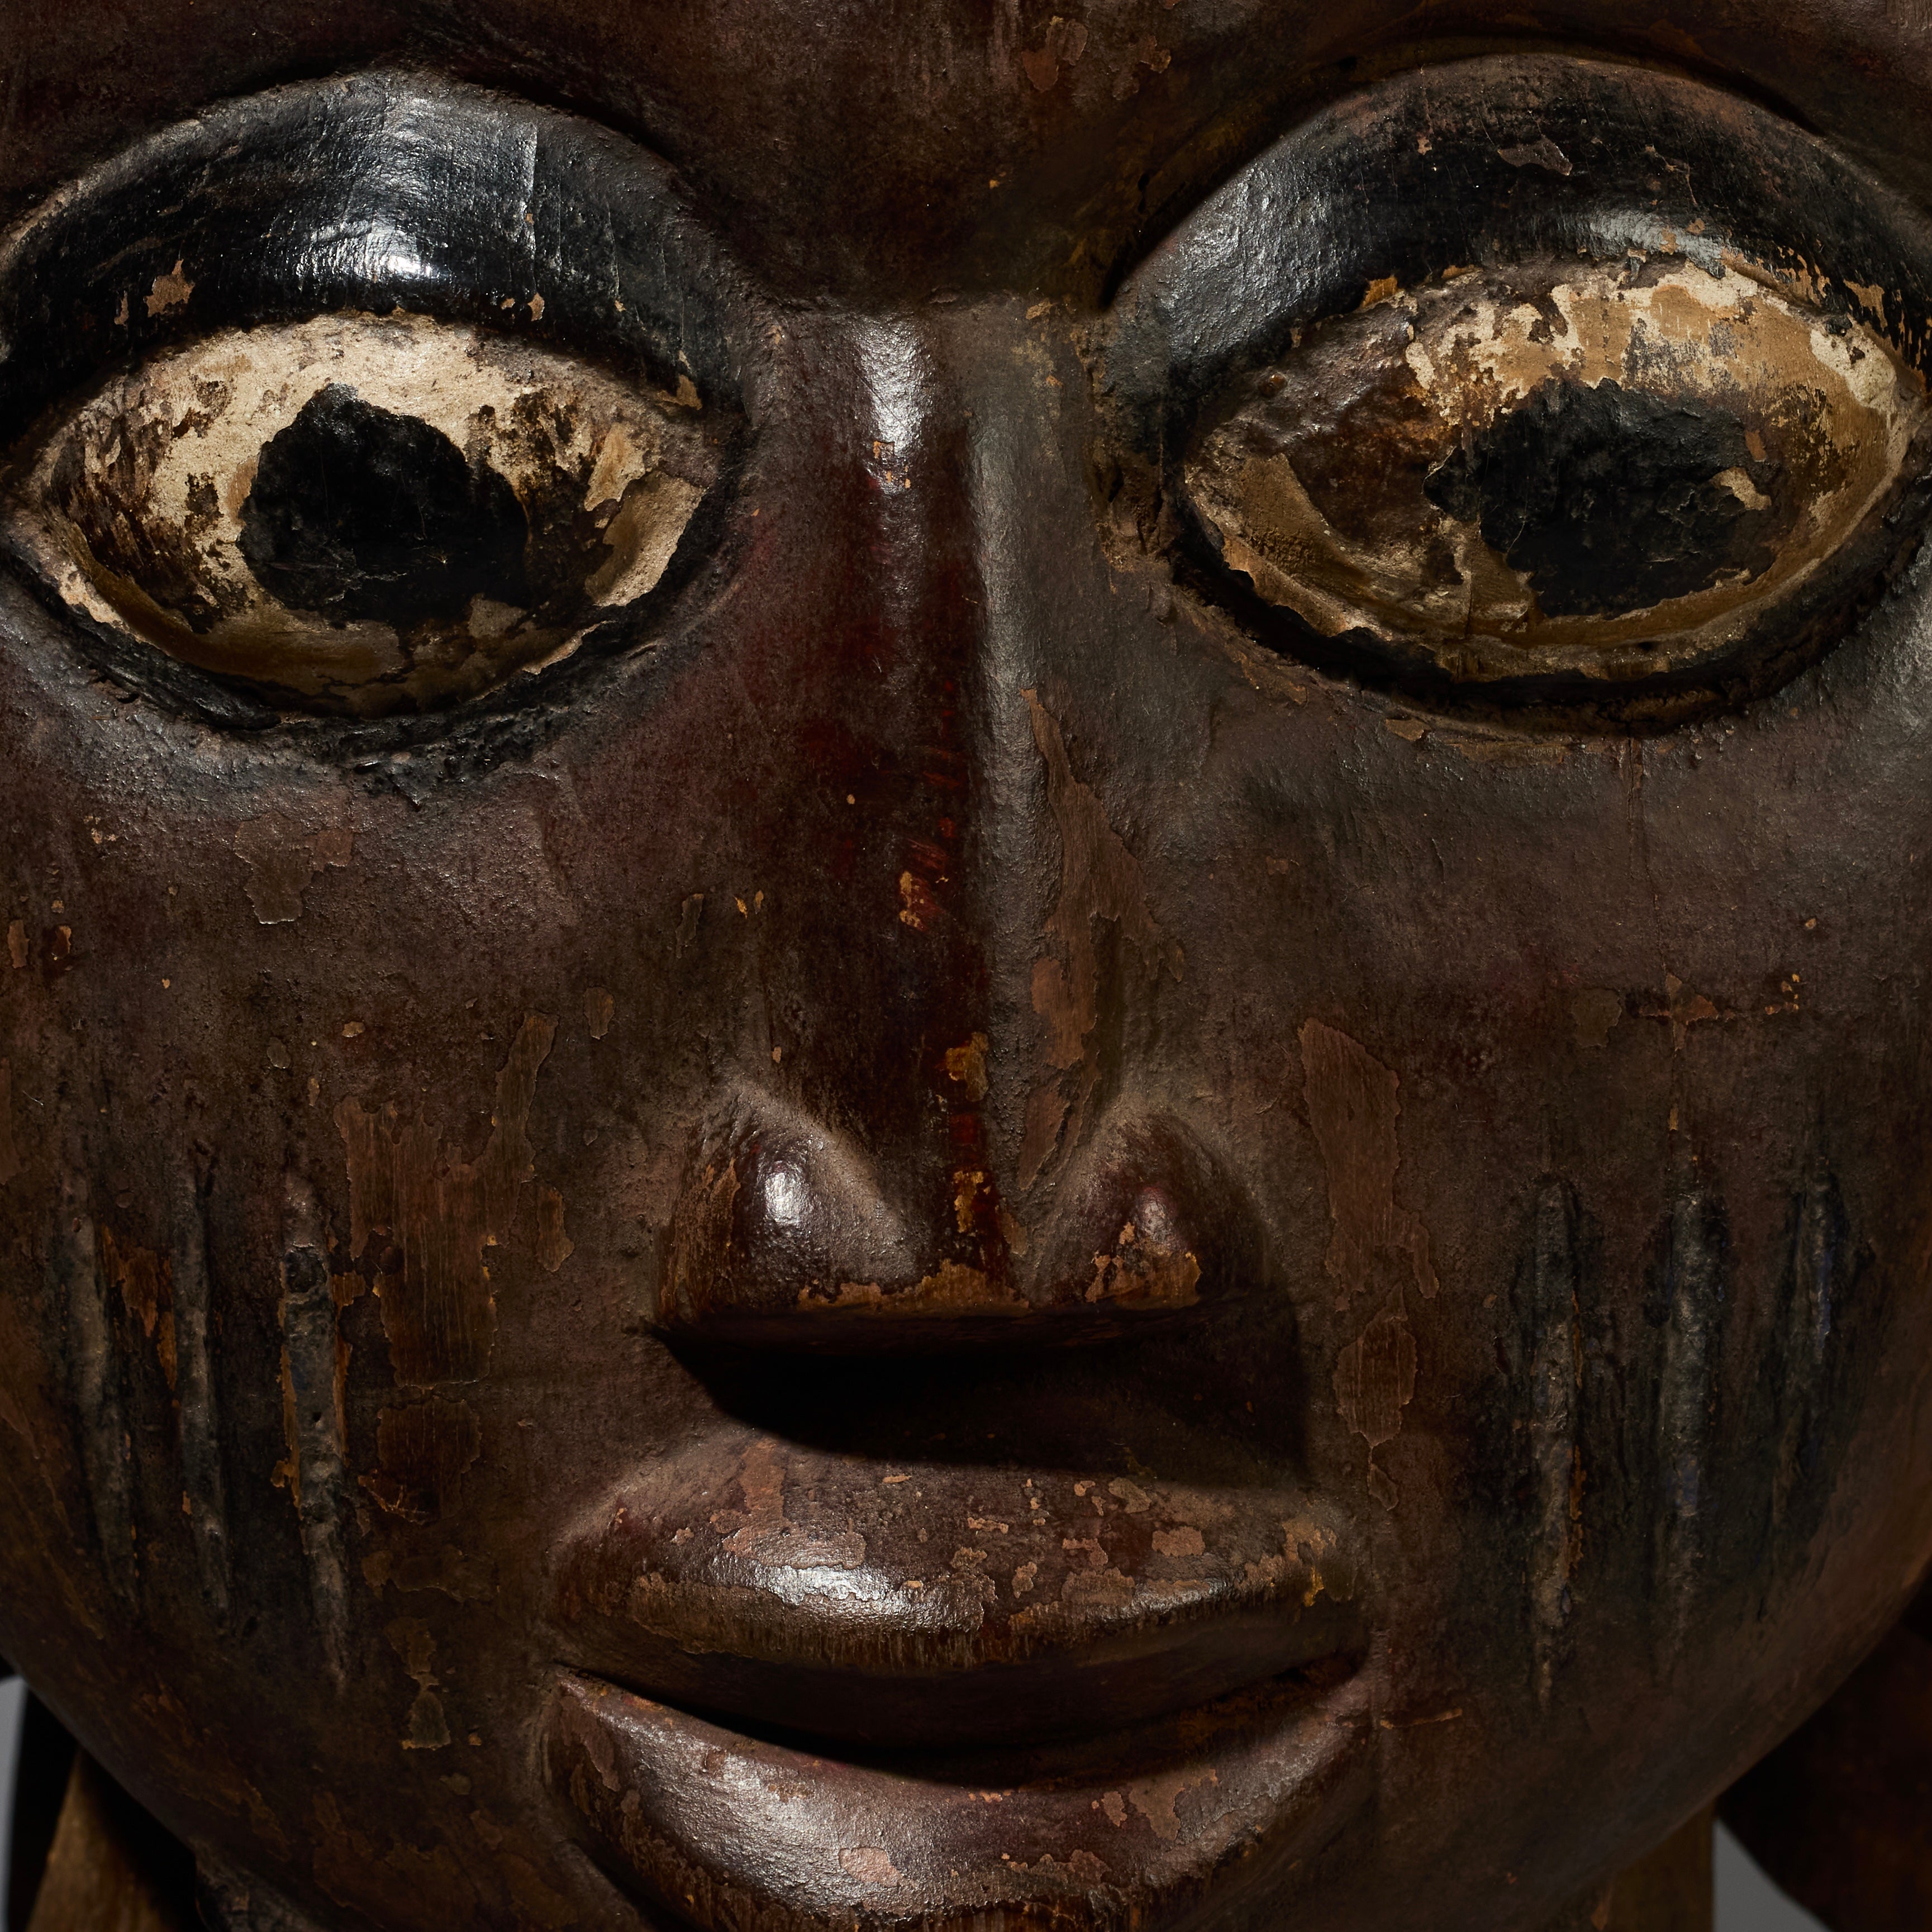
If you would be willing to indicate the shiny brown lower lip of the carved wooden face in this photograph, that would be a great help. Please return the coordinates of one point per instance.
(1137, 1829)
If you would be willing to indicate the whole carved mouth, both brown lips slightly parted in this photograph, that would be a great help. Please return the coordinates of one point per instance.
(818, 1690)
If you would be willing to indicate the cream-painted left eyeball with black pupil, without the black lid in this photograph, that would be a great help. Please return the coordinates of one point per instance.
(364, 515)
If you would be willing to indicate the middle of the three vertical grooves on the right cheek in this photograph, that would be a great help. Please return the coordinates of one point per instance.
(1686, 1402)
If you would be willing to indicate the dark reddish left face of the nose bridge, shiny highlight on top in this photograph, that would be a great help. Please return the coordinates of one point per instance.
(915, 982)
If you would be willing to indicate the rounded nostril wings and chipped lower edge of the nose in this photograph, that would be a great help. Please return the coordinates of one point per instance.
(787, 1239)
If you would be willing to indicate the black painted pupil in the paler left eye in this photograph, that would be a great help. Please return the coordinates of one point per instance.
(358, 513)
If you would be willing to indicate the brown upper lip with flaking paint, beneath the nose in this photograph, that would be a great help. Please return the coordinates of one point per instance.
(913, 1605)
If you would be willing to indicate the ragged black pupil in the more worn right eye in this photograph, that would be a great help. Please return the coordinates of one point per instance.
(1608, 499)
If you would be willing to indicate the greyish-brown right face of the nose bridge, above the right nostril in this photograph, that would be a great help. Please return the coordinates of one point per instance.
(1062, 899)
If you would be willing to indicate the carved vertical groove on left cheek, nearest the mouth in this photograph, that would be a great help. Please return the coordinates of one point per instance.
(312, 1419)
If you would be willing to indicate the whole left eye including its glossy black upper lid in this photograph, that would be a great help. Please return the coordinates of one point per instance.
(366, 399)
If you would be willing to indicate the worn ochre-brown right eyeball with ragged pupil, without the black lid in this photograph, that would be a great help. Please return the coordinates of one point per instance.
(1601, 472)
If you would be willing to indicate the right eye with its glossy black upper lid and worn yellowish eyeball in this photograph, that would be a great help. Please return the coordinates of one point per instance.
(1535, 385)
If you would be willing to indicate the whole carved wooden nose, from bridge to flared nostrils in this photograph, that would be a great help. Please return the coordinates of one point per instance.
(967, 1139)
